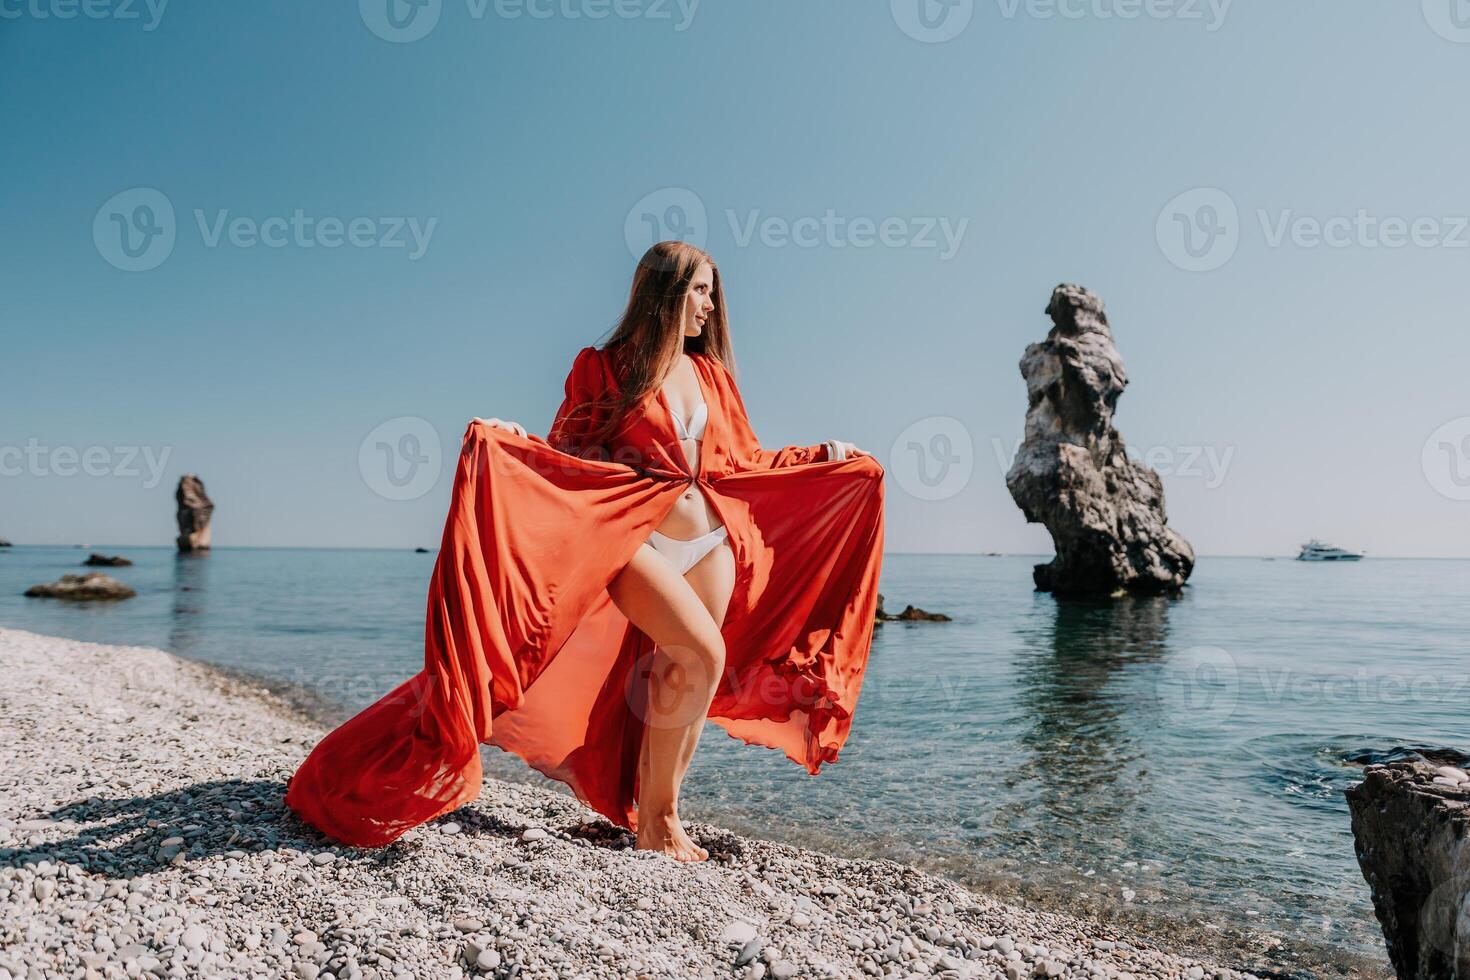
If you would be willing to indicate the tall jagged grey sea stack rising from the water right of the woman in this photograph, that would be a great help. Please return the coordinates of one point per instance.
(1105, 512)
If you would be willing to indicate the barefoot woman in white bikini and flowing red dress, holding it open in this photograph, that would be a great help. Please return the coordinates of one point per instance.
(603, 591)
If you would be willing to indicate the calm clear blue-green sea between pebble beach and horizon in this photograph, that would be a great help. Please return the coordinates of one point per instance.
(1193, 752)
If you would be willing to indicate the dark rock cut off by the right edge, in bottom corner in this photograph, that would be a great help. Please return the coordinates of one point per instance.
(1412, 825)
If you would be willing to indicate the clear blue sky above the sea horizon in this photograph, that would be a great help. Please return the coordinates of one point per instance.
(1297, 365)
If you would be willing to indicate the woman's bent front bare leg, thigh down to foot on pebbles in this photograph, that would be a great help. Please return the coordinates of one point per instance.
(686, 668)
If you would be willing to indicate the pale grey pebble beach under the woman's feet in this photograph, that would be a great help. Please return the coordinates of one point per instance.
(180, 851)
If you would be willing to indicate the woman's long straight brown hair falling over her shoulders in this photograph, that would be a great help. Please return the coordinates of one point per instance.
(650, 334)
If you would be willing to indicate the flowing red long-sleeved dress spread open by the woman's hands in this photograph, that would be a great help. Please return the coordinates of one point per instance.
(524, 649)
